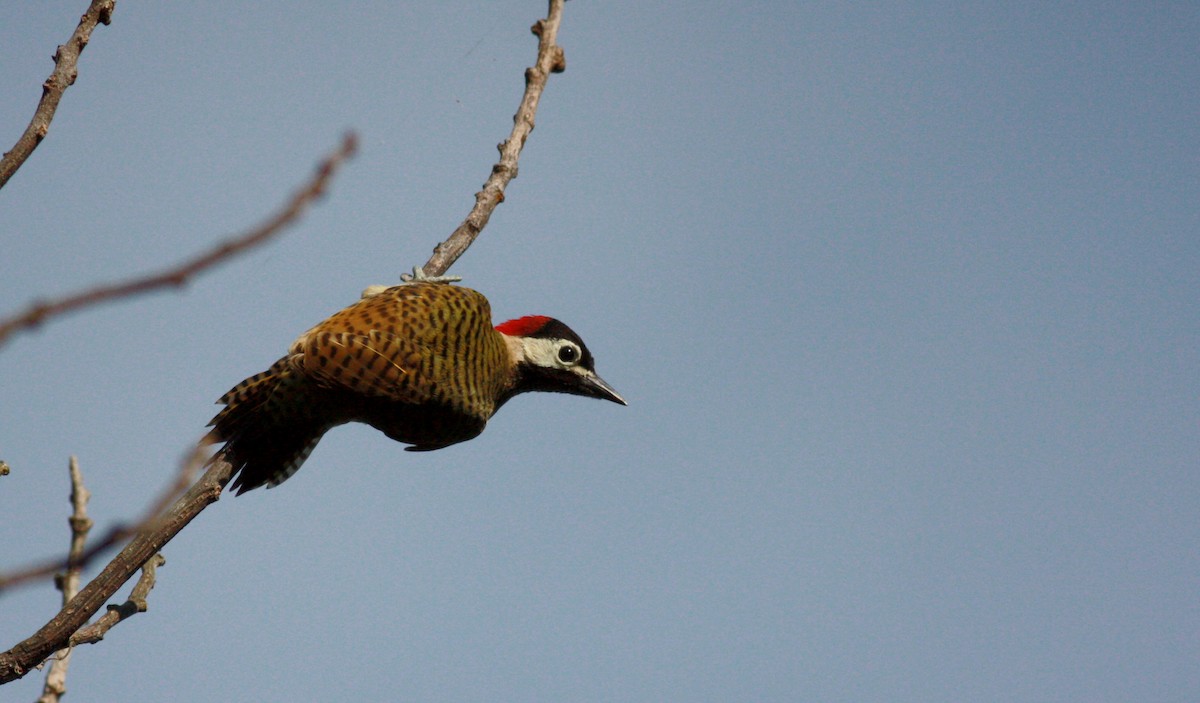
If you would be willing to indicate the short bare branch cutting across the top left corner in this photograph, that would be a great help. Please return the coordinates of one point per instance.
(67, 70)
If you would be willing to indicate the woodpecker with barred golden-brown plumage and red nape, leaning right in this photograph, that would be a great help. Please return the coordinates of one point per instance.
(419, 362)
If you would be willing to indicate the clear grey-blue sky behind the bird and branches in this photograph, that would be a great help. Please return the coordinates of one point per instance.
(904, 299)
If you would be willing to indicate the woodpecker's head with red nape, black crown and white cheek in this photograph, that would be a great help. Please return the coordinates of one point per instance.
(553, 358)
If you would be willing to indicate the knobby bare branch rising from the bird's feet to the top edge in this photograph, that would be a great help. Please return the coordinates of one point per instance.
(550, 61)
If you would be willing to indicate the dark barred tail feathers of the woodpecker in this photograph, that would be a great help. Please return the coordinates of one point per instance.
(269, 428)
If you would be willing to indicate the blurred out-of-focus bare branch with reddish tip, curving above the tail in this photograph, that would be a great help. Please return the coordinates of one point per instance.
(182, 274)
